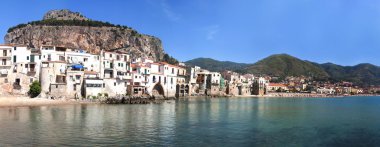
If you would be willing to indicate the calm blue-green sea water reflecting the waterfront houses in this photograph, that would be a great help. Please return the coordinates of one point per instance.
(350, 121)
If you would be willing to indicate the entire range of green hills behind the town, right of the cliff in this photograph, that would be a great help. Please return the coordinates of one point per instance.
(282, 65)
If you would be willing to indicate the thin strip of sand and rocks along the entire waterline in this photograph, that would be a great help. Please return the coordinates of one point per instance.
(23, 101)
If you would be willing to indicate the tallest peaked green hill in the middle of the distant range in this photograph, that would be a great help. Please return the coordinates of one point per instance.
(285, 65)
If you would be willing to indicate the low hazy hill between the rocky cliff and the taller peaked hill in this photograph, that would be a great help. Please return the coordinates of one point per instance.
(215, 65)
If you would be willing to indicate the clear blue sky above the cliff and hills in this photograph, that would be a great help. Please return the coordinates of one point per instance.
(345, 32)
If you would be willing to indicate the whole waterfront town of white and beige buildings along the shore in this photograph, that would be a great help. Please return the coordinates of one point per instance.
(74, 73)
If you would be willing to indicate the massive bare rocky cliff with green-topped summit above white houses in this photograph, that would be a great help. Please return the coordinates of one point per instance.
(73, 30)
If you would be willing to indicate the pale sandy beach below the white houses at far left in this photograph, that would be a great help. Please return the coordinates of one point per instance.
(20, 101)
